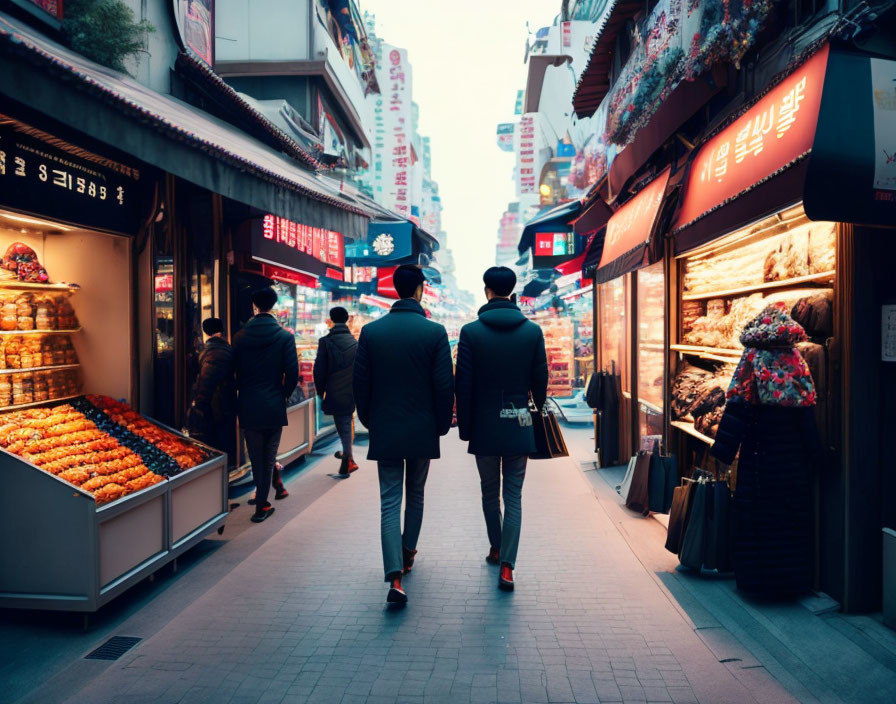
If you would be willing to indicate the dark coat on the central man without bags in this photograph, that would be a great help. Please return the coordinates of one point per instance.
(403, 383)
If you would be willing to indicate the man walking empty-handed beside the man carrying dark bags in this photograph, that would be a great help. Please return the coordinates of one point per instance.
(403, 389)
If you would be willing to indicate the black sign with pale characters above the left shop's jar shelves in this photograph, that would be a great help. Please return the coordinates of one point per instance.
(67, 183)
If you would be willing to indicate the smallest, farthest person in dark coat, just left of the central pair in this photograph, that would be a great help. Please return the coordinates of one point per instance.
(333, 368)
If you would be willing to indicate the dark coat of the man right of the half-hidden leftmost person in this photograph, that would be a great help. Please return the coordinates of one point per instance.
(267, 371)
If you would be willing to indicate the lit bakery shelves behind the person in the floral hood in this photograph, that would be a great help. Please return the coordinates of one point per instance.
(784, 258)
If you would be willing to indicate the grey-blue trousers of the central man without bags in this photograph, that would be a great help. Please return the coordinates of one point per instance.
(393, 473)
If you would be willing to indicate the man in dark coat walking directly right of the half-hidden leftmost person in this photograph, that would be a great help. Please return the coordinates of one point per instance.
(267, 371)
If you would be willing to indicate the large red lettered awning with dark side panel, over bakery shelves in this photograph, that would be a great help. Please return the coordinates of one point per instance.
(819, 136)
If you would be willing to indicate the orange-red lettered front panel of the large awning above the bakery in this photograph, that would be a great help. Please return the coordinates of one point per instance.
(772, 134)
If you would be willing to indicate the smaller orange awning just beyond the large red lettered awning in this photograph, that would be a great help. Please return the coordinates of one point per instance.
(630, 230)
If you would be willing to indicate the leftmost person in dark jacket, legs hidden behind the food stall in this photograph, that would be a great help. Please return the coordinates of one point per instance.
(212, 415)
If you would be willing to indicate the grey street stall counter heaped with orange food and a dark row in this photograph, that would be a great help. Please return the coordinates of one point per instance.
(105, 497)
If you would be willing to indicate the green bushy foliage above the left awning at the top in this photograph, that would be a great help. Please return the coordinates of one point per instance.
(105, 31)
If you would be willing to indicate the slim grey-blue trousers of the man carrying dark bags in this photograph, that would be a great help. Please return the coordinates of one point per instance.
(504, 535)
